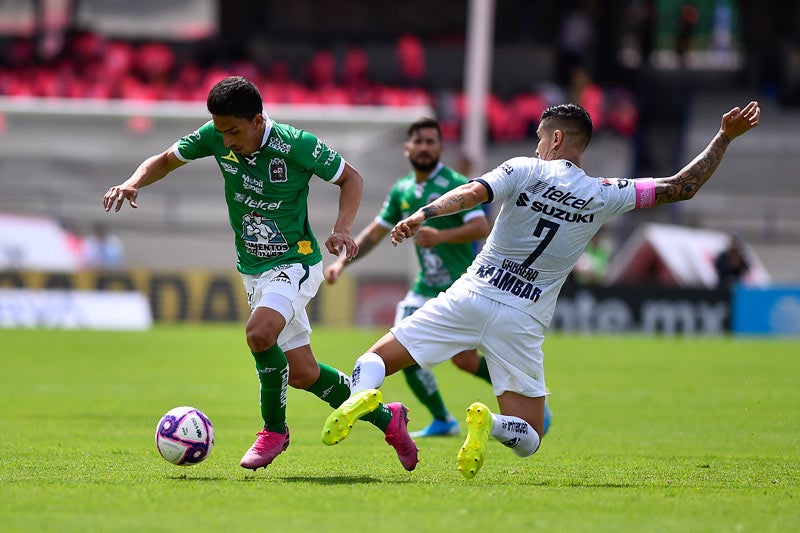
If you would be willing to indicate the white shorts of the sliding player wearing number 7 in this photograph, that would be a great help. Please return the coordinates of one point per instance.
(459, 320)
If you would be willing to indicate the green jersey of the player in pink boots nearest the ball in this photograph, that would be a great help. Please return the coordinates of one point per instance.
(267, 192)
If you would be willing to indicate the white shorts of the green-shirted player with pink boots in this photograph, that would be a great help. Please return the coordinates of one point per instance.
(287, 289)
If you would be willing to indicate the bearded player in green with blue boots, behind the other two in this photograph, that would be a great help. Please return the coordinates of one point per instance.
(445, 247)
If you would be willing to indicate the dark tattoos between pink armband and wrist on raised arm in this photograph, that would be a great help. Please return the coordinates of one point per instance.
(688, 181)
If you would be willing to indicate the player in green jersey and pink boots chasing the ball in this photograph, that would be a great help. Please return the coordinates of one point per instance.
(266, 169)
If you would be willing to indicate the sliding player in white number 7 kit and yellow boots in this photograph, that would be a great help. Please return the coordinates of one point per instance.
(550, 210)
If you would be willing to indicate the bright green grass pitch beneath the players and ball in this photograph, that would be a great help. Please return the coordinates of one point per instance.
(649, 434)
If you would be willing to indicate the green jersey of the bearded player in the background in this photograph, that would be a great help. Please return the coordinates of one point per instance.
(440, 265)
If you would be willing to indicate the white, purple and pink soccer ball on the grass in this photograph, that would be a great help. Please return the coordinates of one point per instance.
(184, 436)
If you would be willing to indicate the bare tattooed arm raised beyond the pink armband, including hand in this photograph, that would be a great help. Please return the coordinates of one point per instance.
(684, 184)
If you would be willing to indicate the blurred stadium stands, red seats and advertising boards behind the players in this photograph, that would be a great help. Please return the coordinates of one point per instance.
(89, 88)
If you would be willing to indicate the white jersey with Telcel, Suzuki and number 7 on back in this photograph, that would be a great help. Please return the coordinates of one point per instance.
(550, 211)
